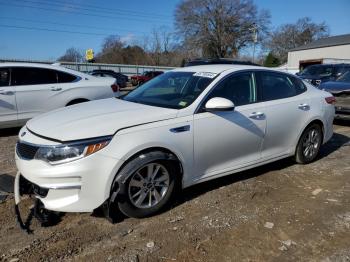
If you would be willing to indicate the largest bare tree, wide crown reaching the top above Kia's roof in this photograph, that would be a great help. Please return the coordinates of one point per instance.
(220, 28)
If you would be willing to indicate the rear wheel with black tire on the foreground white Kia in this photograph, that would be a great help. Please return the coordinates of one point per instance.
(308, 150)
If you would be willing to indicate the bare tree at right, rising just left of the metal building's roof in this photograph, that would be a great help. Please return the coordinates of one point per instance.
(289, 36)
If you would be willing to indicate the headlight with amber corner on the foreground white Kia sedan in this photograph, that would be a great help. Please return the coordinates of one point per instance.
(71, 151)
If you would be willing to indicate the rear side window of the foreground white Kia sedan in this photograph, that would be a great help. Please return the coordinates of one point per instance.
(278, 86)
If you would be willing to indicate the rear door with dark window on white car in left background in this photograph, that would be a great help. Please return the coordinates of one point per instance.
(34, 89)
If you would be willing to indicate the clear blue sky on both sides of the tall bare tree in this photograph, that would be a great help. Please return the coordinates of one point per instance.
(44, 29)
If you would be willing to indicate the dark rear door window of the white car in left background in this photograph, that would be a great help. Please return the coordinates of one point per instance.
(32, 76)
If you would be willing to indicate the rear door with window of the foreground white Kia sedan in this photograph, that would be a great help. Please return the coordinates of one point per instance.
(287, 109)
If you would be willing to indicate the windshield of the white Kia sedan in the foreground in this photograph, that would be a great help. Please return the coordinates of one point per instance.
(171, 90)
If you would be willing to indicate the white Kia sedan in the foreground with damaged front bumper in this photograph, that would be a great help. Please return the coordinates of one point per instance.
(184, 127)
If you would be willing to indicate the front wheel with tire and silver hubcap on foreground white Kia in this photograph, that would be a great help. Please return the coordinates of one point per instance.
(148, 189)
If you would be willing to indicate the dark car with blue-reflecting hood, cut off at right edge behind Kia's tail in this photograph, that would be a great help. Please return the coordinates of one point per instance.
(340, 88)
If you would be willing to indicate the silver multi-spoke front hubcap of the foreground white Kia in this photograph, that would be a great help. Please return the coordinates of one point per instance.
(148, 185)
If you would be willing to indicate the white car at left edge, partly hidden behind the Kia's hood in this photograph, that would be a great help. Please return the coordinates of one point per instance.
(29, 89)
